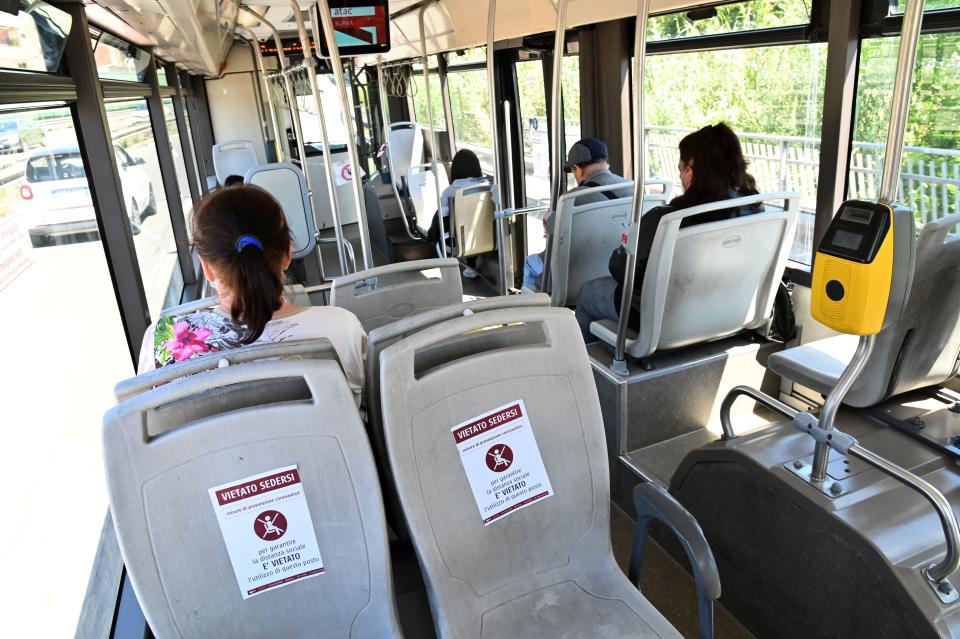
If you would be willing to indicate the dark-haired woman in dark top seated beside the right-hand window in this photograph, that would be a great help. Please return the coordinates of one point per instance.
(712, 168)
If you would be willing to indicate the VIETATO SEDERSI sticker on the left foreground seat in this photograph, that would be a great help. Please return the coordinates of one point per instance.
(268, 531)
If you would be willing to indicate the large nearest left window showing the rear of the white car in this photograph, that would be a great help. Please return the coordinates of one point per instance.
(63, 348)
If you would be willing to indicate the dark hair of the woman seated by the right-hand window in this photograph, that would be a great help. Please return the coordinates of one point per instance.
(718, 166)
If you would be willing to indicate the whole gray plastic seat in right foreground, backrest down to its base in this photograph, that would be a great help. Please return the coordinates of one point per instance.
(544, 570)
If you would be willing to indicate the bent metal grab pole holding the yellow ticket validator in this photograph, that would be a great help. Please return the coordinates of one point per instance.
(899, 110)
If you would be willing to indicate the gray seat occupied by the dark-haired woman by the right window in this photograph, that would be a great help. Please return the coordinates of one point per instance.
(712, 280)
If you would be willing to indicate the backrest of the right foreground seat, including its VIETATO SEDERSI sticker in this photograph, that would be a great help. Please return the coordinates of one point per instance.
(527, 369)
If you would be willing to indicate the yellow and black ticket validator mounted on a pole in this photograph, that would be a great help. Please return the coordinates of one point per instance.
(853, 272)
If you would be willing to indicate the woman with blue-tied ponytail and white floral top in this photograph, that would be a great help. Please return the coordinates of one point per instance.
(243, 241)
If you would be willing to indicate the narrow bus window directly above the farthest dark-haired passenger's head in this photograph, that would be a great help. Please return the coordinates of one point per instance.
(470, 105)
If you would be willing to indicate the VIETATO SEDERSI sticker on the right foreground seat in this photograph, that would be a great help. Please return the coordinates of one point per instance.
(502, 461)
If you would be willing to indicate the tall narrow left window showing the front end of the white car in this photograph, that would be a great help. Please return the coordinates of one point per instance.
(146, 202)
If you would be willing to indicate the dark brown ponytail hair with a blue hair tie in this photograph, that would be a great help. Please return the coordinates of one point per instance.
(229, 228)
